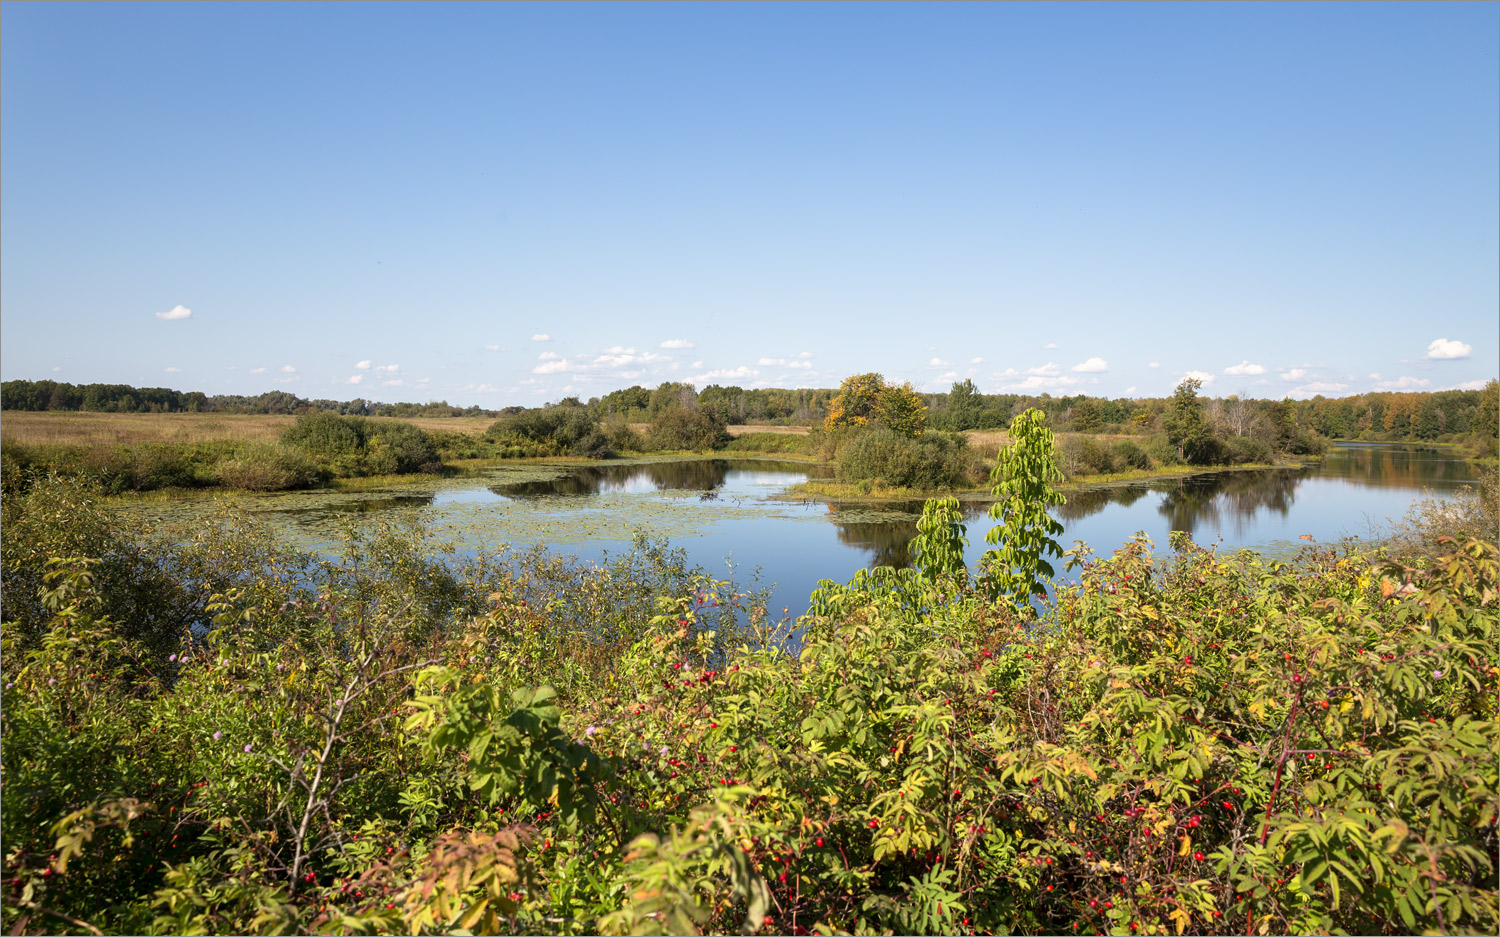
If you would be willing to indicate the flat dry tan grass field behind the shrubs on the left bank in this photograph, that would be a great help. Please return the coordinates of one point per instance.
(64, 428)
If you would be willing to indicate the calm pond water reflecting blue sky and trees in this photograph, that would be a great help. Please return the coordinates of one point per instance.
(728, 512)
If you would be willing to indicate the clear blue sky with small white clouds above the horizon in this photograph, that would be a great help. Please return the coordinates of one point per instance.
(514, 203)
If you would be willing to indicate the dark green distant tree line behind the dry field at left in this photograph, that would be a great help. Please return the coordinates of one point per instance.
(125, 400)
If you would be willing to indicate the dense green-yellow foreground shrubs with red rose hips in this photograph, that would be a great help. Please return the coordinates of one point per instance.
(392, 743)
